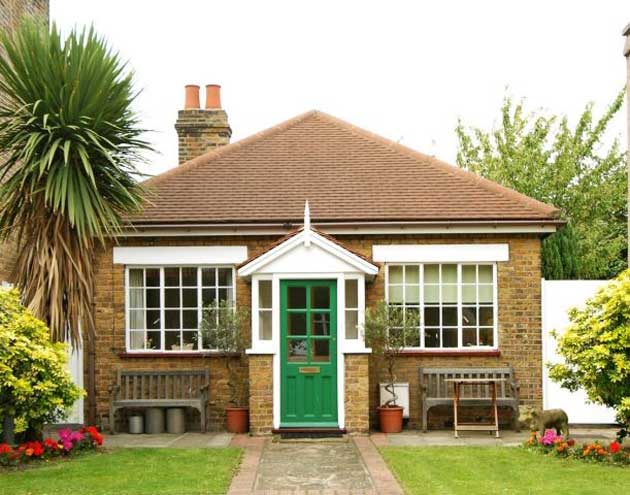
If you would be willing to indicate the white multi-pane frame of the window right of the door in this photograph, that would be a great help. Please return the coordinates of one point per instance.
(460, 347)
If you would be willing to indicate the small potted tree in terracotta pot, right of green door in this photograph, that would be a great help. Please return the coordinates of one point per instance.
(385, 330)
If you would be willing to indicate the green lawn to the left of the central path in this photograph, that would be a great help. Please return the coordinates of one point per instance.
(129, 472)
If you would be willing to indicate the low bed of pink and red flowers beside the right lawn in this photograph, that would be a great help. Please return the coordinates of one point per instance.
(553, 444)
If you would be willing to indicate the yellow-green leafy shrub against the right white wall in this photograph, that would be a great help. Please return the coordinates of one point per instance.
(596, 349)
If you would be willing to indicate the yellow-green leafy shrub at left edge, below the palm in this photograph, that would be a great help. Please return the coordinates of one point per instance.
(35, 385)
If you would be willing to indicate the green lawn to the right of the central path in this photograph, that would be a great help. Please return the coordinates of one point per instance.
(499, 470)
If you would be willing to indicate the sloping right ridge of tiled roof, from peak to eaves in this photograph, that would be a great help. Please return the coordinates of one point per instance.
(446, 167)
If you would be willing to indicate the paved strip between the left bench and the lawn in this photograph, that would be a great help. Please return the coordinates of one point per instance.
(165, 440)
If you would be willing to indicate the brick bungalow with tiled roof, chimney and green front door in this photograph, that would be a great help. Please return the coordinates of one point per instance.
(385, 222)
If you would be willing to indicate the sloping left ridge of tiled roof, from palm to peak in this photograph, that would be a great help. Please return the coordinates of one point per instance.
(229, 148)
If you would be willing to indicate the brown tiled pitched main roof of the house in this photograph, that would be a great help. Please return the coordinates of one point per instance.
(346, 173)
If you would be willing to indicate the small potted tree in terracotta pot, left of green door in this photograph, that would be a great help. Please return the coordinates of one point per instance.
(223, 327)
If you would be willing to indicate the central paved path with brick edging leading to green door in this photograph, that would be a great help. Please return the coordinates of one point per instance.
(353, 466)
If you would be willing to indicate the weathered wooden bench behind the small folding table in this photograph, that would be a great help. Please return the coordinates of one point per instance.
(436, 391)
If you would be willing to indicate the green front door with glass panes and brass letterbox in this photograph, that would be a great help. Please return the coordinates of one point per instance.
(308, 323)
